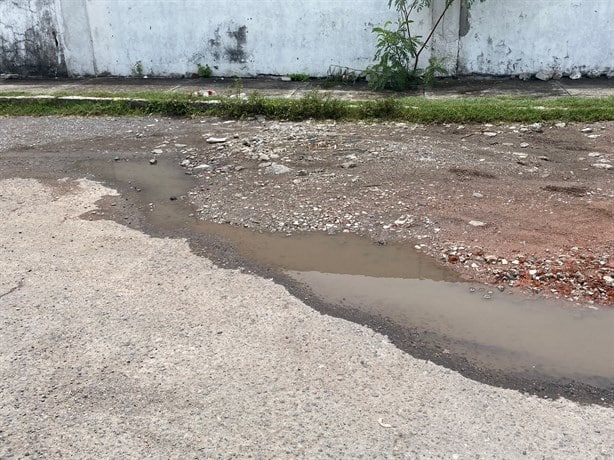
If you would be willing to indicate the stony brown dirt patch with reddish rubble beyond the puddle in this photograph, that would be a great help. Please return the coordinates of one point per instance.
(520, 206)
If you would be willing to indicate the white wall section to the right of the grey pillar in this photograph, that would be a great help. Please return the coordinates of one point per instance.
(511, 37)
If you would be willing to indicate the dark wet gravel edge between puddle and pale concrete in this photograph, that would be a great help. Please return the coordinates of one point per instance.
(421, 344)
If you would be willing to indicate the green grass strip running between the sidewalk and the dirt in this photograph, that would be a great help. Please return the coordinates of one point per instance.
(316, 105)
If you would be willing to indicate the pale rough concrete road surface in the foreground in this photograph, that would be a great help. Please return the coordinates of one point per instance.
(114, 344)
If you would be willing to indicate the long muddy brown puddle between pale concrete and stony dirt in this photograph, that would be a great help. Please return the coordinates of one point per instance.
(494, 330)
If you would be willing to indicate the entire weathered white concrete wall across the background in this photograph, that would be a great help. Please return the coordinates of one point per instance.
(253, 37)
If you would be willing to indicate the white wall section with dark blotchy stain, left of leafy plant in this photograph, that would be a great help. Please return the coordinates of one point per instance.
(236, 37)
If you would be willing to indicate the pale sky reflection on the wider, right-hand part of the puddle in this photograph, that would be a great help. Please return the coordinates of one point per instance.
(506, 332)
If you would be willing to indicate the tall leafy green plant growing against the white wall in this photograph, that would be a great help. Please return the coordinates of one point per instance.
(399, 49)
